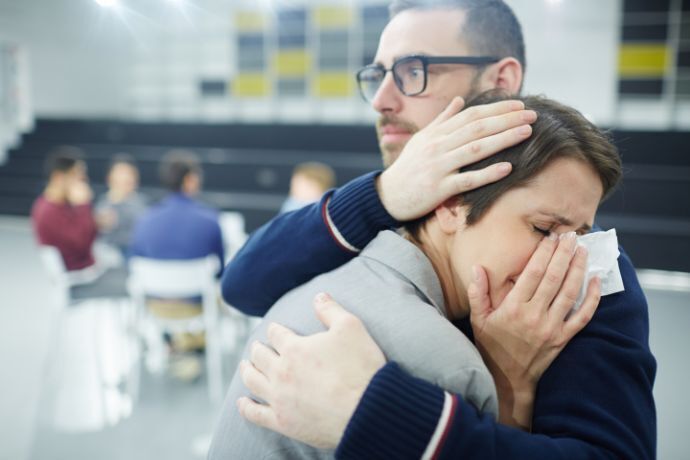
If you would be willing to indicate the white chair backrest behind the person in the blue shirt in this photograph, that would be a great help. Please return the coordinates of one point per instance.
(172, 278)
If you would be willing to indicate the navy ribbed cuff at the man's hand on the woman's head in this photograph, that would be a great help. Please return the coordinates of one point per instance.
(355, 213)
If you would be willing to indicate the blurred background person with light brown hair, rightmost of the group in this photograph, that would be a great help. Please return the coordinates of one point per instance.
(308, 184)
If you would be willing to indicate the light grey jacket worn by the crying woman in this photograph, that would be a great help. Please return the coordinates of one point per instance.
(393, 289)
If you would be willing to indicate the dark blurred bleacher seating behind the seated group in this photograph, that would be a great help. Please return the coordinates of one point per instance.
(247, 168)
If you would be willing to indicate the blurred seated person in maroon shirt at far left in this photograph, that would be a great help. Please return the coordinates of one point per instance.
(62, 215)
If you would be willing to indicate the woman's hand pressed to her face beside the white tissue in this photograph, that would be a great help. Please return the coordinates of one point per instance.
(520, 338)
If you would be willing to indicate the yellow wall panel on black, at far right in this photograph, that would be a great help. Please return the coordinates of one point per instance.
(643, 60)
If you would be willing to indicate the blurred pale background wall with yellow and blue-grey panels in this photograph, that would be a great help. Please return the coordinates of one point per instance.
(623, 63)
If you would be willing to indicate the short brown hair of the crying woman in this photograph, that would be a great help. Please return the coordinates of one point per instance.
(559, 132)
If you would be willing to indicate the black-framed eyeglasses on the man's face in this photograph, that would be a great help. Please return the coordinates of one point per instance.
(410, 73)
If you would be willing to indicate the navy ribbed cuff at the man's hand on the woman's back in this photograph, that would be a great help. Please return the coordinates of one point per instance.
(397, 417)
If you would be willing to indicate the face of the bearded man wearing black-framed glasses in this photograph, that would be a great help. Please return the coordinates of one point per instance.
(435, 32)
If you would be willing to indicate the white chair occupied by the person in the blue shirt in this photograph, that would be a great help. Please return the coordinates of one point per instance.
(180, 279)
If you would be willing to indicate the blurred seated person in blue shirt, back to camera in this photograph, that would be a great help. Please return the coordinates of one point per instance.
(179, 228)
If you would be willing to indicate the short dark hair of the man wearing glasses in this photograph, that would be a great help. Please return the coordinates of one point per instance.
(491, 27)
